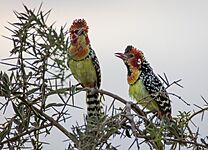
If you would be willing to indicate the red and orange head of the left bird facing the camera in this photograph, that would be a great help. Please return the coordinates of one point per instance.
(80, 43)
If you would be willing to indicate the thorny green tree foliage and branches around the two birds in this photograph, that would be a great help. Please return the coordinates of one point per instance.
(38, 74)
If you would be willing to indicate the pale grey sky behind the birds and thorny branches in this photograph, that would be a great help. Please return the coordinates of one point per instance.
(172, 34)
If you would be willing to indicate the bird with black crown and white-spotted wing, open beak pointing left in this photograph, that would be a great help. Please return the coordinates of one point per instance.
(144, 86)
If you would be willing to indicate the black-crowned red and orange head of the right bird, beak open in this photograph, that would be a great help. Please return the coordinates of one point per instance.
(133, 59)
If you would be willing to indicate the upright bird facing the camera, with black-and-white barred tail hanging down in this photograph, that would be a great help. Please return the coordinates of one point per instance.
(84, 64)
